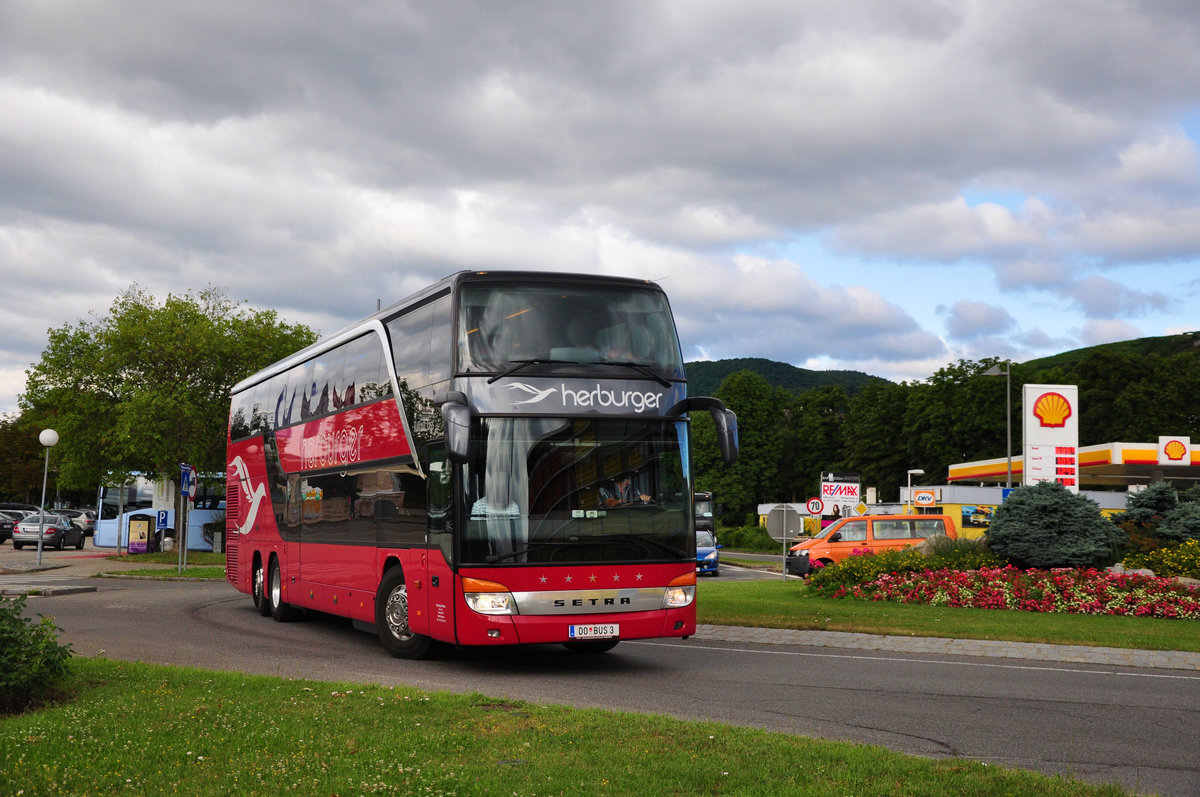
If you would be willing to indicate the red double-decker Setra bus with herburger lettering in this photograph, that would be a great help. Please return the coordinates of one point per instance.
(501, 459)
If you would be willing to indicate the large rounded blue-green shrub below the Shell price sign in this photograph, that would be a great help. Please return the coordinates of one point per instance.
(1048, 526)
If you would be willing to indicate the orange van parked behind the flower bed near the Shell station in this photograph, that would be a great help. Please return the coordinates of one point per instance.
(875, 532)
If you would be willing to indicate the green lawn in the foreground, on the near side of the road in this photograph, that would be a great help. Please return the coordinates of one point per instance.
(140, 729)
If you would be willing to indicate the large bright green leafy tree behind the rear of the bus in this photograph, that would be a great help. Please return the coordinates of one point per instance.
(147, 386)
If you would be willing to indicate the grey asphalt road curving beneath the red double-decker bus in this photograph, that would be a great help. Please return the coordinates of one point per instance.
(1141, 728)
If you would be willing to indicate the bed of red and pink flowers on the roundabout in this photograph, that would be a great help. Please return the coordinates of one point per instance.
(1070, 591)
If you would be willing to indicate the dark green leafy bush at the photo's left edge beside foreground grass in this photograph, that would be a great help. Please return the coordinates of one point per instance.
(32, 661)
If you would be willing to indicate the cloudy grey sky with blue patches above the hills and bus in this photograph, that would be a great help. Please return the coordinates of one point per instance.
(884, 187)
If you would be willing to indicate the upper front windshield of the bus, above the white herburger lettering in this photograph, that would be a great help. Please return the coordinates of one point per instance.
(505, 323)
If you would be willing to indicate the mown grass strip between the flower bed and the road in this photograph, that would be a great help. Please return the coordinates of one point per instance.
(789, 604)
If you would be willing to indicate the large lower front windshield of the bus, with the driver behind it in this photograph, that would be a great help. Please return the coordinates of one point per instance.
(577, 490)
